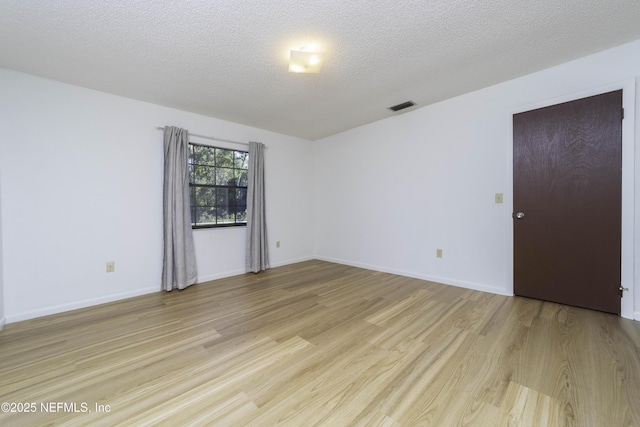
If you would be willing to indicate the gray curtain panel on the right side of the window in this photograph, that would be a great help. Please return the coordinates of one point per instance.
(257, 249)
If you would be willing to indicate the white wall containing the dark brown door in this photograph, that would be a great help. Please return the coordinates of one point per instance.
(390, 193)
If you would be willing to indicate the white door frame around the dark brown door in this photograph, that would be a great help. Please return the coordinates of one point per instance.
(628, 183)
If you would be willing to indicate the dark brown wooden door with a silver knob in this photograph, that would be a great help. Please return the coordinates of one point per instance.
(567, 198)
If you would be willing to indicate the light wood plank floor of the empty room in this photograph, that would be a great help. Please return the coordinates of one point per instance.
(324, 344)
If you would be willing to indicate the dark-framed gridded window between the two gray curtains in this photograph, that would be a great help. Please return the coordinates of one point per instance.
(218, 186)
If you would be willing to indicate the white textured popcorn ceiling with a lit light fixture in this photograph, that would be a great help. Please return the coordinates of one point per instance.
(228, 58)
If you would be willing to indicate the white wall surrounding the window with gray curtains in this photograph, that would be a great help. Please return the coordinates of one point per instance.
(81, 184)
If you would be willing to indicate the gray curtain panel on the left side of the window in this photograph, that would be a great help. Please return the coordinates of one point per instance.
(179, 264)
